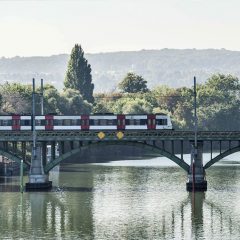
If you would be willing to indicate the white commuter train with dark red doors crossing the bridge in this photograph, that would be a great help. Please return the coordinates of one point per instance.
(86, 122)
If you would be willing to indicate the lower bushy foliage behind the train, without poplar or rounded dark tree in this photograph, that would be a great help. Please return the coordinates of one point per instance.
(218, 102)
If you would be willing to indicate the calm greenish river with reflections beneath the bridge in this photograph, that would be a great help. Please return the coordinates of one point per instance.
(134, 199)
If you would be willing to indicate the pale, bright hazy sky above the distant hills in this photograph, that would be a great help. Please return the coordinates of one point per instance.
(48, 27)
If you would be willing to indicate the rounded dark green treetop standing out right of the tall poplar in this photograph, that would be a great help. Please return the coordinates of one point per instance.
(133, 83)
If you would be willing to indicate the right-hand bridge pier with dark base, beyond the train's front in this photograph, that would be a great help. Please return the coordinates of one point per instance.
(196, 175)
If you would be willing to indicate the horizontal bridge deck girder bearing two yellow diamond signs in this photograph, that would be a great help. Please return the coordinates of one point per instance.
(109, 135)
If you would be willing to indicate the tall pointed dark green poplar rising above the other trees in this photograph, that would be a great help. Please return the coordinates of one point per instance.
(78, 75)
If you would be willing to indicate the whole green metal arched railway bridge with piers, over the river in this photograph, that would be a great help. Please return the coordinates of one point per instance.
(17, 146)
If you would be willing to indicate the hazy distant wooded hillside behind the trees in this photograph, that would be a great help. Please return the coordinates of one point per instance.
(167, 66)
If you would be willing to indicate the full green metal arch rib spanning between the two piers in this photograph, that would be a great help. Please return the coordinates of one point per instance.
(149, 147)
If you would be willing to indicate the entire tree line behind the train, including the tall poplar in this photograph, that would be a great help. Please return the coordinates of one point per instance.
(218, 99)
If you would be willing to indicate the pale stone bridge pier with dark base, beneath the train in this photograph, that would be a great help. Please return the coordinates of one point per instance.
(38, 180)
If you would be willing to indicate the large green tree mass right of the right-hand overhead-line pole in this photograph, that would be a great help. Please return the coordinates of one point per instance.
(219, 103)
